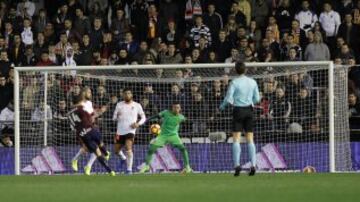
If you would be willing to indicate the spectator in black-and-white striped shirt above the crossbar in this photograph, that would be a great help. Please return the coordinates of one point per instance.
(200, 30)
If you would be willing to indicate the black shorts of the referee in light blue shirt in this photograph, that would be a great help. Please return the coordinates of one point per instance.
(243, 119)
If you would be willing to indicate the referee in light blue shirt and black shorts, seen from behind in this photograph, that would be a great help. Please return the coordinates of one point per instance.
(243, 94)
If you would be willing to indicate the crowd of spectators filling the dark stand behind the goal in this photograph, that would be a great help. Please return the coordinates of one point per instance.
(126, 32)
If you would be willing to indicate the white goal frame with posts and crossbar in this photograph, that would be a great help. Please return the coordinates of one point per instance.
(45, 69)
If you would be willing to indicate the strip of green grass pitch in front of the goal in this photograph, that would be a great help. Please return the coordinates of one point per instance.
(173, 188)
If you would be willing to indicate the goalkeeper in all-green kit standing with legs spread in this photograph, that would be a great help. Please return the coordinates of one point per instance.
(169, 135)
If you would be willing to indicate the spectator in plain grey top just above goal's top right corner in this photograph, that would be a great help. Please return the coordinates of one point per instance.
(317, 51)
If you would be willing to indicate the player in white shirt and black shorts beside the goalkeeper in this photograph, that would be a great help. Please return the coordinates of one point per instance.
(127, 115)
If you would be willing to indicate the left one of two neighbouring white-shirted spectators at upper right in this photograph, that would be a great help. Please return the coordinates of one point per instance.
(306, 17)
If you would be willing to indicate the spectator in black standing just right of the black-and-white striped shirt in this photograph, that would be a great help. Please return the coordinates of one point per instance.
(213, 20)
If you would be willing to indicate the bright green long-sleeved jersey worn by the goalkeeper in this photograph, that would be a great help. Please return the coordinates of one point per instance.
(171, 123)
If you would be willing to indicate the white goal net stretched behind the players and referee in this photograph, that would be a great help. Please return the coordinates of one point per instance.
(301, 120)
